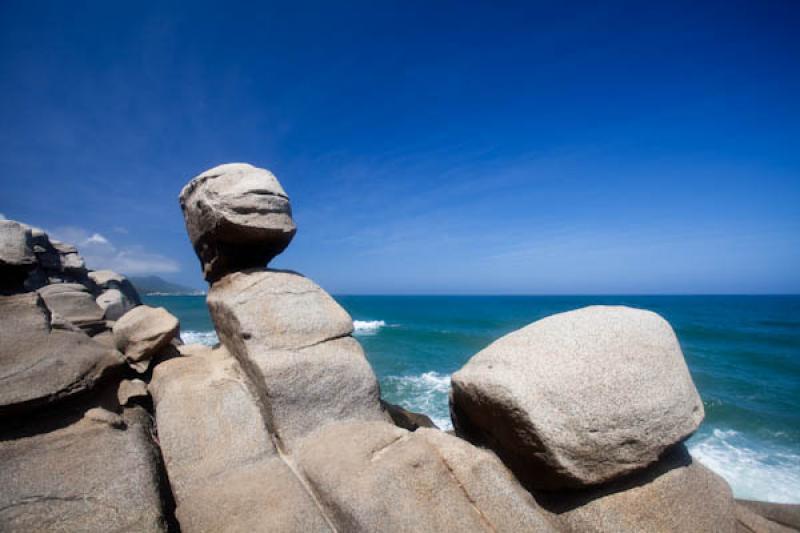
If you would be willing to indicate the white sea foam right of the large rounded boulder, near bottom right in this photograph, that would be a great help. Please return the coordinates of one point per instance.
(753, 472)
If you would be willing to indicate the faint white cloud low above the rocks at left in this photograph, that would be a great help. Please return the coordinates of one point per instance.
(100, 253)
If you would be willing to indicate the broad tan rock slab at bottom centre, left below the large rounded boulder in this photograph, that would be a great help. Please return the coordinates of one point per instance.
(377, 477)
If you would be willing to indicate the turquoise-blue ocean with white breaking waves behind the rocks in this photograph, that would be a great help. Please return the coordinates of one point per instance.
(743, 353)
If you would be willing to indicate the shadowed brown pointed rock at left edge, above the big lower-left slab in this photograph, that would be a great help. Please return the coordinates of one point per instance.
(39, 364)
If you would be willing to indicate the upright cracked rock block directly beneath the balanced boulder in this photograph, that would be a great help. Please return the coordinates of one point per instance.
(293, 341)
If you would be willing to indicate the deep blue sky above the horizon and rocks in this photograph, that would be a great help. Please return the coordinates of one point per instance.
(427, 147)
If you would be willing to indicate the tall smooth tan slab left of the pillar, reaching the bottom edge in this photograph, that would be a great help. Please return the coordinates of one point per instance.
(224, 469)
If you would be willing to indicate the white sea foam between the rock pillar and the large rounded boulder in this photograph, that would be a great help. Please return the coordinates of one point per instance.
(425, 393)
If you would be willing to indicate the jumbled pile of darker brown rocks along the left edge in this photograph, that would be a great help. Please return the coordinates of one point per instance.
(76, 454)
